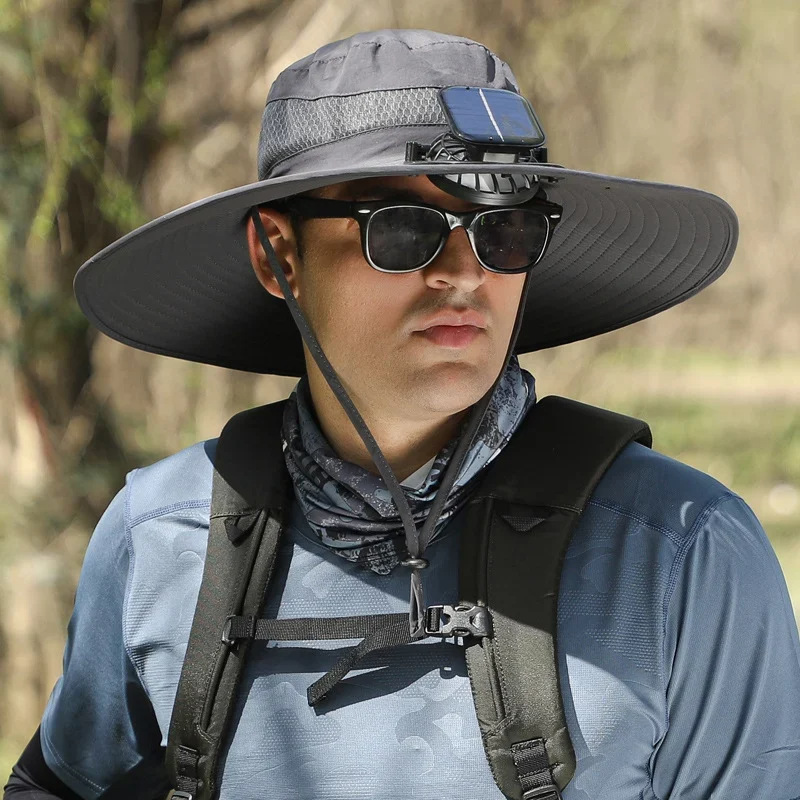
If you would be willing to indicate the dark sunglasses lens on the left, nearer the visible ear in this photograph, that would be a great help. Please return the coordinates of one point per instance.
(403, 238)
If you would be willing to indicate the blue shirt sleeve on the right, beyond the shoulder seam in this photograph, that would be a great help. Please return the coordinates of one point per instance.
(733, 663)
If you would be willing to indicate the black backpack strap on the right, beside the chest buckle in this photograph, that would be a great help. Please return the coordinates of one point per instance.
(519, 525)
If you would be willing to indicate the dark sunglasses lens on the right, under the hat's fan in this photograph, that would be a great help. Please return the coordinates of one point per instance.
(510, 240)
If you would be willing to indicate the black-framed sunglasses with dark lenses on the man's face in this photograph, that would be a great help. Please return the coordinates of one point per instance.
(399, 236)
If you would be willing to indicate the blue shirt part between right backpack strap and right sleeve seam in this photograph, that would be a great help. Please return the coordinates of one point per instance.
(617, 578)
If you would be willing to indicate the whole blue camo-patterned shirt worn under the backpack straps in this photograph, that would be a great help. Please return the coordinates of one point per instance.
(678, 651)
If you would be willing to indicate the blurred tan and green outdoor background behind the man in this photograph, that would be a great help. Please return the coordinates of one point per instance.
(113, 112)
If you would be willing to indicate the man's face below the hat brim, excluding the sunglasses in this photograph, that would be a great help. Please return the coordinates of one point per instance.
(369, 323)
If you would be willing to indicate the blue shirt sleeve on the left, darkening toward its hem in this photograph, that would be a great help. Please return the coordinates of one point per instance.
(99, 732)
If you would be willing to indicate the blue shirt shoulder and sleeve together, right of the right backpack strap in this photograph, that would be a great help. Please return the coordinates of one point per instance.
(669, 580)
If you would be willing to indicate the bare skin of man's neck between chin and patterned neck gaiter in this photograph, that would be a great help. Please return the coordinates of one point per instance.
(406, 443)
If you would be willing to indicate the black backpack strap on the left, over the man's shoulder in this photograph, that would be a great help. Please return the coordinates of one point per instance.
(250, 497)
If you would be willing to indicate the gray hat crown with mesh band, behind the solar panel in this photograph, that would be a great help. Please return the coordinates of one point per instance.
(363, 98)
